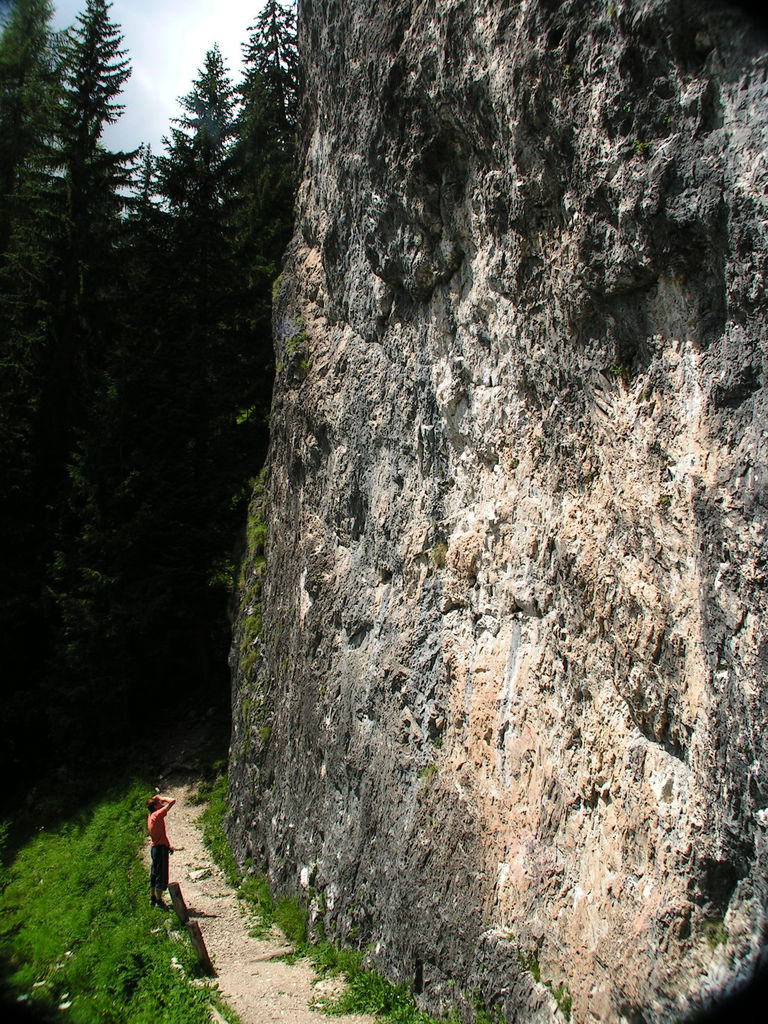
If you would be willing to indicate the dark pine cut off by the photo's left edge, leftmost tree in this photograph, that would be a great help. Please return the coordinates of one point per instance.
(29, 100)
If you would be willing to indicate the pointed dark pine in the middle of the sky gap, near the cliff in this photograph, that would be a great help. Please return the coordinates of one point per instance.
(201, 375)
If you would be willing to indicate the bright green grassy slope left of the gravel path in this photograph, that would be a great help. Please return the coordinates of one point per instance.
(76, 927)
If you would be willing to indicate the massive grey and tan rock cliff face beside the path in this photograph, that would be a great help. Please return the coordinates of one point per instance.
(502, 649)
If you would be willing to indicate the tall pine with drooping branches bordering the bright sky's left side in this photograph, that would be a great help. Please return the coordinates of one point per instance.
(60, 261)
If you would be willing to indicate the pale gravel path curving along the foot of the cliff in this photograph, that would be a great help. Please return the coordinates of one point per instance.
(260, 988)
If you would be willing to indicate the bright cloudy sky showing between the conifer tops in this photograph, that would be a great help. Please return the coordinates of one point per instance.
(167, 41)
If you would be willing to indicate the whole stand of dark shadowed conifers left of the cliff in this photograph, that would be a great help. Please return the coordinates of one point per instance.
(135, 371)
